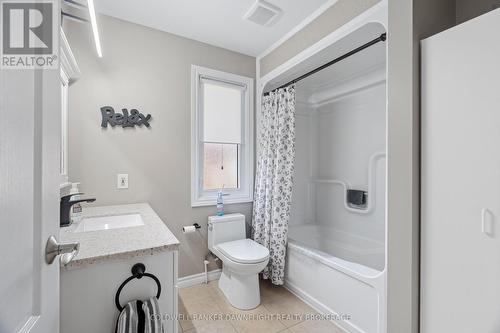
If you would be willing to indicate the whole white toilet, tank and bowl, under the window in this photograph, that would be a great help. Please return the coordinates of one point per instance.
(242, 260)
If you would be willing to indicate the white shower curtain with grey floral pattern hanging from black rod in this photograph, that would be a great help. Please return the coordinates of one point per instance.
(274, 178)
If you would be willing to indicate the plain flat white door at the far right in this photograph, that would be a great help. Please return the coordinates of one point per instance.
(460, 244)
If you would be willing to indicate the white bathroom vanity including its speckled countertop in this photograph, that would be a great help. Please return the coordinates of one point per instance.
(89, 282)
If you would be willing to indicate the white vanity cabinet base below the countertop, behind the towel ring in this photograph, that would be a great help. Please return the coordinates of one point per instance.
(88, 293)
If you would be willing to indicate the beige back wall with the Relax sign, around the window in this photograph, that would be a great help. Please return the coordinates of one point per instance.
(148, 70)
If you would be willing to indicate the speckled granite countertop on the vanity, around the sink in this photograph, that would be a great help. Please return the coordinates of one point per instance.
(98, 246)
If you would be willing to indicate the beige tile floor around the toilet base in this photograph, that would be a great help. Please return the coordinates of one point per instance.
(208, 300)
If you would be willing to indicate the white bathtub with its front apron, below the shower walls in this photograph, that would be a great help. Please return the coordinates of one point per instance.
(338, 274)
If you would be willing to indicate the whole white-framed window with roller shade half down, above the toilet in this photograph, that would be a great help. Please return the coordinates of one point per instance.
(221, 136)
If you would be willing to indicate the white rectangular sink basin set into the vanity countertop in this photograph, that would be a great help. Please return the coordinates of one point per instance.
(96, 223)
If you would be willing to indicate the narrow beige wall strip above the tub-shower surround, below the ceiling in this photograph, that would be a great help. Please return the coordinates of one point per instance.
(334, 17)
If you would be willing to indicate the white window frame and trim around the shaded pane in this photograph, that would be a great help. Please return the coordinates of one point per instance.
(199, 196)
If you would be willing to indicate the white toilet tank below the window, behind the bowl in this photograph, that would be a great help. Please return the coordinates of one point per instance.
(225, 228)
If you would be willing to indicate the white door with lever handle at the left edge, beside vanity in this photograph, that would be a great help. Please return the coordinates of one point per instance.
(29, 199)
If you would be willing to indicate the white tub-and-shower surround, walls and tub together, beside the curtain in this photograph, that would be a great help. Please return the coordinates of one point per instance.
(336, 251)
